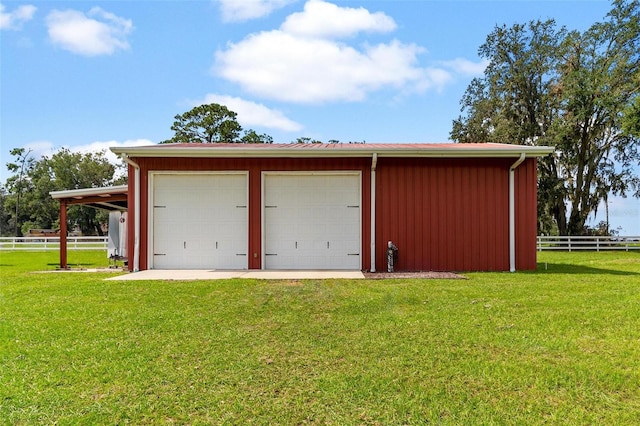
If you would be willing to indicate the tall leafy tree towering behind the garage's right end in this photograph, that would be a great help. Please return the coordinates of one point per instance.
(575, 91)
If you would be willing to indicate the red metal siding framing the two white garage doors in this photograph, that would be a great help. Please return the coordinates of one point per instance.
(255, 167)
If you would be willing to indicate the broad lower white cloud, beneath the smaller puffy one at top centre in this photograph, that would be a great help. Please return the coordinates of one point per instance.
(279, 65)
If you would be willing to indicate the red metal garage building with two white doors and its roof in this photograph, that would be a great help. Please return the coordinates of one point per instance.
(454, 207)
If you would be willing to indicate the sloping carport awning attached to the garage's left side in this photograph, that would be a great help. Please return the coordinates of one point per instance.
(106, 198)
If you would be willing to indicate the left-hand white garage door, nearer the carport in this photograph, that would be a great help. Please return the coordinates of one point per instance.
(200, 221)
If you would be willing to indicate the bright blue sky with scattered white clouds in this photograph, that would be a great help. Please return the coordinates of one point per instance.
(92, 74)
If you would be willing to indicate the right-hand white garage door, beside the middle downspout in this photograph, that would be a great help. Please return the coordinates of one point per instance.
(312, 221)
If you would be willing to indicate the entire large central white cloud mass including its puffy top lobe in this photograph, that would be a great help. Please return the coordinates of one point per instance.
(304, 62)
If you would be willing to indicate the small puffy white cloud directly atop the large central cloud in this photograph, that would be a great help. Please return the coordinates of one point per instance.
(322, 19)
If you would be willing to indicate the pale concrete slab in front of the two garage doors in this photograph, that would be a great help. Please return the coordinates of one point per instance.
(190, 274)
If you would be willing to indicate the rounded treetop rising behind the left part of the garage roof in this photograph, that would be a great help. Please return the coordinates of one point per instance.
(211, 123)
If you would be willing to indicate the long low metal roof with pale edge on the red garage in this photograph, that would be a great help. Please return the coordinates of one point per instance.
(216, 150)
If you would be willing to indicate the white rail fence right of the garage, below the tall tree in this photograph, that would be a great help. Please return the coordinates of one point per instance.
(575, 243)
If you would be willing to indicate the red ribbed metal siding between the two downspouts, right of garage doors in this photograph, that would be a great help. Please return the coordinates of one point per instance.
(444, 214)
